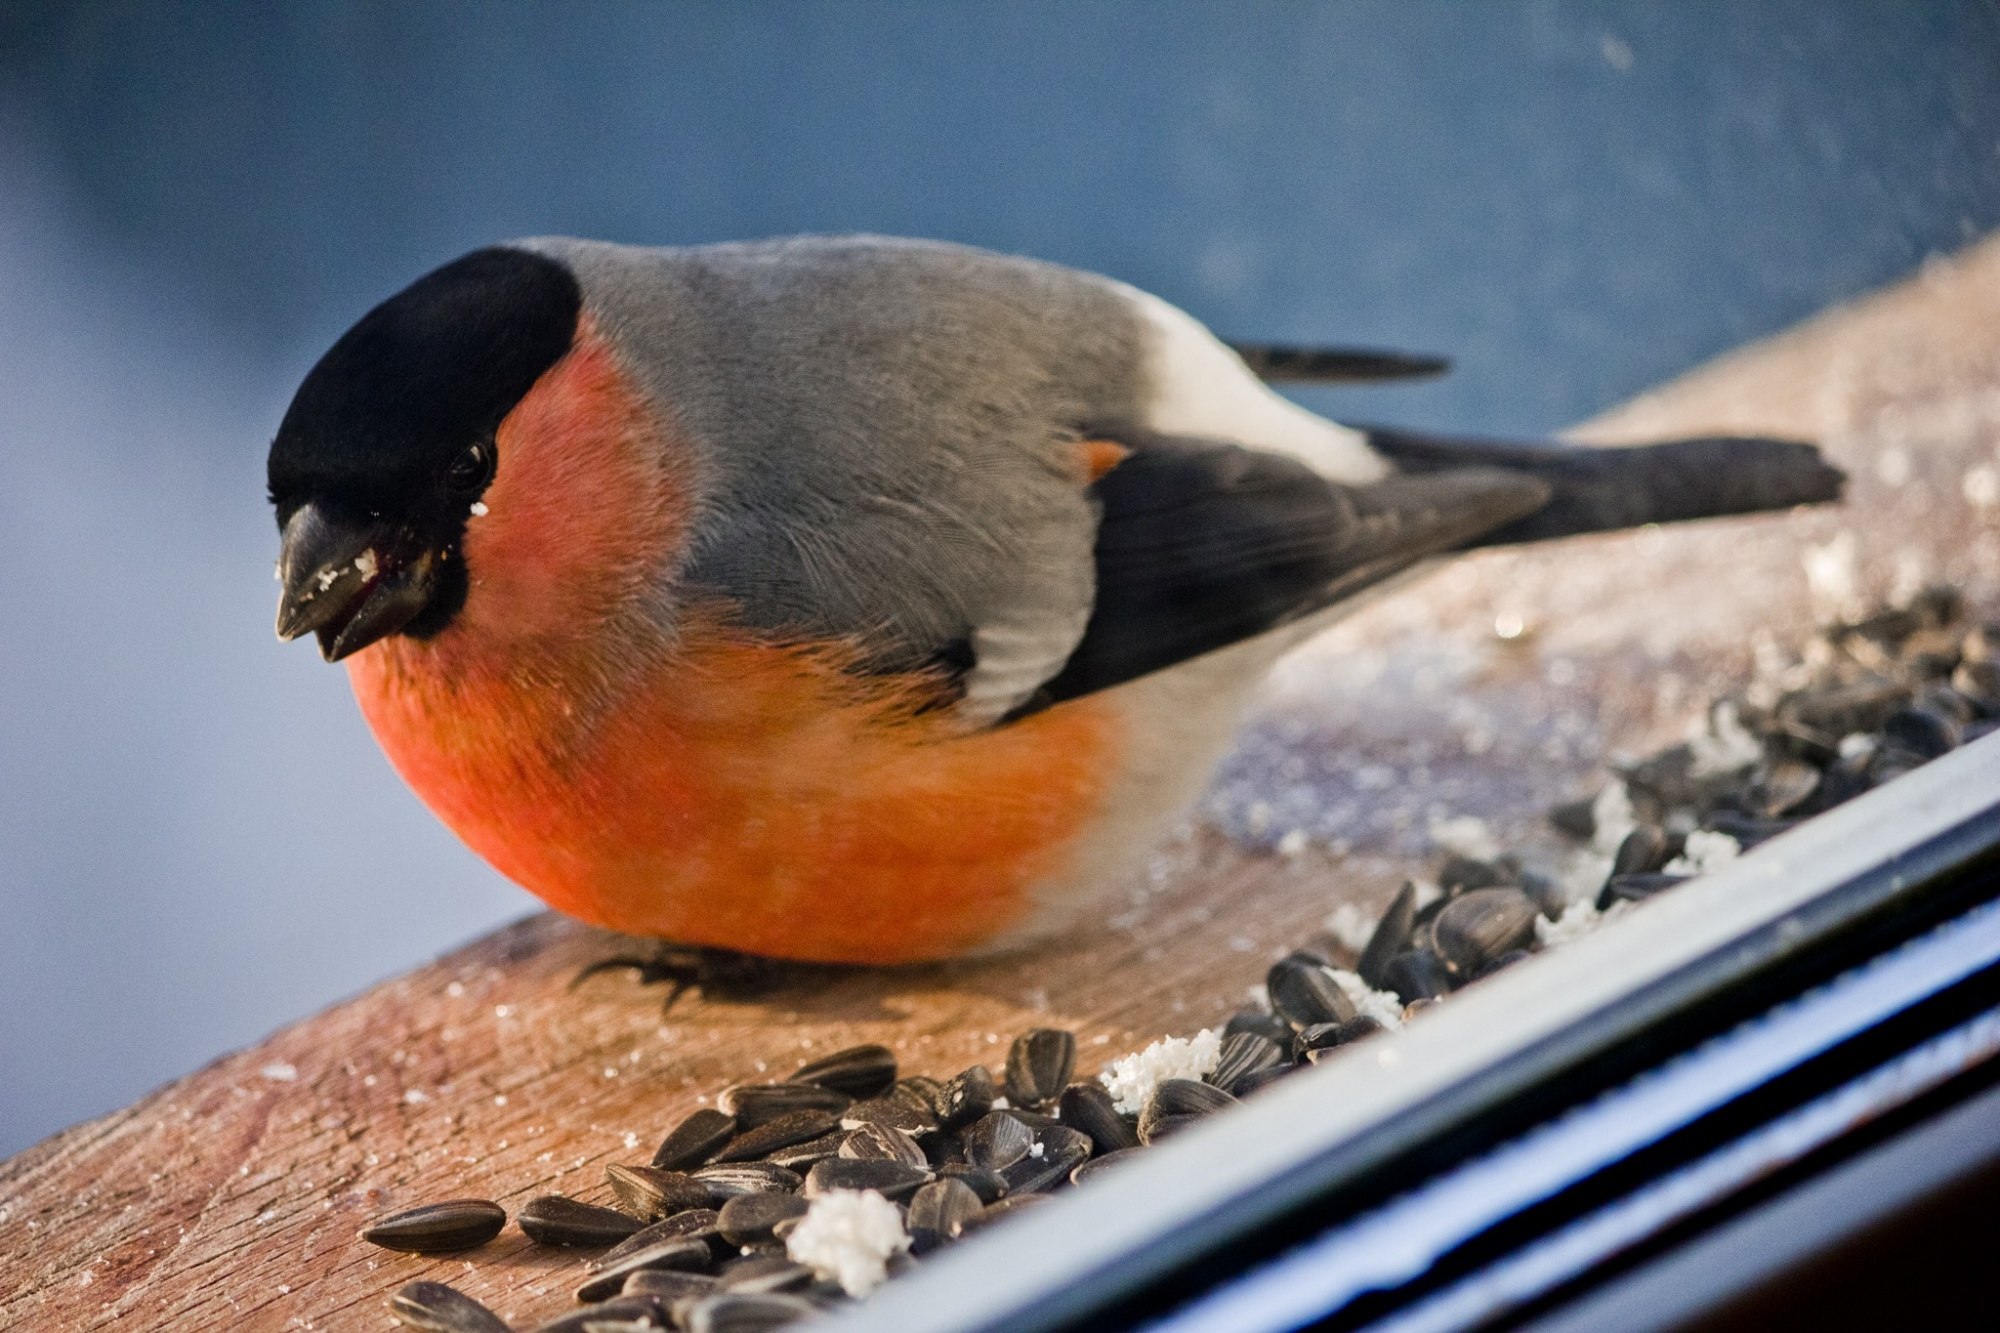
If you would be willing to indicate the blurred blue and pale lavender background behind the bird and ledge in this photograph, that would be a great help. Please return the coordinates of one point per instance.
(197, 836)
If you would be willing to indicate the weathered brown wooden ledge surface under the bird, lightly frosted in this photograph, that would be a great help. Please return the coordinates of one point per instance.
(229, 1200)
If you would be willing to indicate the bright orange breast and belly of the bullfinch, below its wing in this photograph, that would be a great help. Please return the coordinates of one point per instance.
(745, 796)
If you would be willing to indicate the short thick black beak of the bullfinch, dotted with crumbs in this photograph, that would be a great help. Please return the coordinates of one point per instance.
(349, 583)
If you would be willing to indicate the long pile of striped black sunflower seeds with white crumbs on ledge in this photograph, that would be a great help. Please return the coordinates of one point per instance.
(795, 1198)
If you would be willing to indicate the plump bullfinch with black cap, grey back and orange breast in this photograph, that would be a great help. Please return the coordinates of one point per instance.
(857, 599)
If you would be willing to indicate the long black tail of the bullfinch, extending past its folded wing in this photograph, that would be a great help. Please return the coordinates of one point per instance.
(1625, 487)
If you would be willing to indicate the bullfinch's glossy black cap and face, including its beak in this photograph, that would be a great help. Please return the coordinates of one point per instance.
(391, 441)
